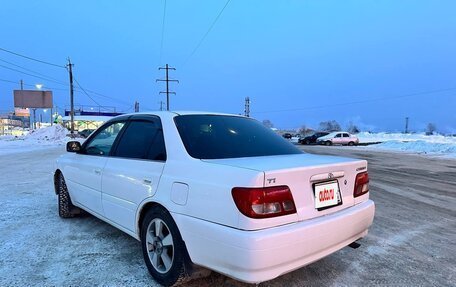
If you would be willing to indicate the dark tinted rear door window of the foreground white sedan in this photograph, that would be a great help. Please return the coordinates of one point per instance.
(142, 139)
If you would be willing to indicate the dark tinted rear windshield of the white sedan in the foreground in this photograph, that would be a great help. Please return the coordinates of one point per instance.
(216, 137)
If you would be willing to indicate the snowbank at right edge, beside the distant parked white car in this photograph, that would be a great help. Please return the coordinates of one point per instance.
(413, 143)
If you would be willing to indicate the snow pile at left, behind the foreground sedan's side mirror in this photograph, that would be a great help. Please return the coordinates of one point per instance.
(36, 140)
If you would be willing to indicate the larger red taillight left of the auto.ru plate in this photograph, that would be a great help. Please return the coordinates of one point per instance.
(263, 202)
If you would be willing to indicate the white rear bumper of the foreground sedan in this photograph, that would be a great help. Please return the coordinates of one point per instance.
(257, 256)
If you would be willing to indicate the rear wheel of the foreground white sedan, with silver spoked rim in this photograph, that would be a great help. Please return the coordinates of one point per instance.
(163, 249)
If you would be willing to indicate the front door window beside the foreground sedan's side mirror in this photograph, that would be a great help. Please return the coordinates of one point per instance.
(102, 142)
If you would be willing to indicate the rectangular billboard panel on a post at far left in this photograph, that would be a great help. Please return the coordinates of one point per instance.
(32, 99)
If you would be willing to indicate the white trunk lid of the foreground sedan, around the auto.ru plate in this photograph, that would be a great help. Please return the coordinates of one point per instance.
(304, 174)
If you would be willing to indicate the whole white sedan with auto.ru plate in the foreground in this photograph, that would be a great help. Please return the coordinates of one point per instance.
(216, 191)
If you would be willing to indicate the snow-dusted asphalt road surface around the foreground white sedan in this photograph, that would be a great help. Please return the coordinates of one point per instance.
(411, 243)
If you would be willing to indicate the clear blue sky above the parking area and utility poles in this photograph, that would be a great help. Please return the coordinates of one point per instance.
(372, 63)
